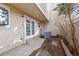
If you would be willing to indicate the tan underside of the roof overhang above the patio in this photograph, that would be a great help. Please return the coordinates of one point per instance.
(30, 9)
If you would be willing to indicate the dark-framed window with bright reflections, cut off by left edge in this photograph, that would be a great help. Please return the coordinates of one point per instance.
(4, 16)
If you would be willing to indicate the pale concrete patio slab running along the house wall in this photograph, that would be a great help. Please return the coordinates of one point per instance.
(25, 49)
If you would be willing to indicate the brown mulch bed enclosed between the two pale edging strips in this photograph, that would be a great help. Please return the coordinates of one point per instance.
(55, 50)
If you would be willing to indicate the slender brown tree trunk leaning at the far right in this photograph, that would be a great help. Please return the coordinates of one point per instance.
(73, 35)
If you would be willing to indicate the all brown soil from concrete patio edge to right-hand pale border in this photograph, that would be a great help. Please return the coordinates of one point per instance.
(52, 49)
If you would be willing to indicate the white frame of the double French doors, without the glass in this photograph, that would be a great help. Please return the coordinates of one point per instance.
(36, 28)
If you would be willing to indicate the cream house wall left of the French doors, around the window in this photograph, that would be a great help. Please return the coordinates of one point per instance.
(10, 35)
